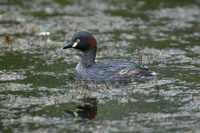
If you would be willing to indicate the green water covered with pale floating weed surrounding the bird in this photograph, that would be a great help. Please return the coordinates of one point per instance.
(37, 92)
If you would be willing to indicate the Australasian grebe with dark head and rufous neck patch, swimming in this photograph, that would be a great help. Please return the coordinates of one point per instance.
(89, 70)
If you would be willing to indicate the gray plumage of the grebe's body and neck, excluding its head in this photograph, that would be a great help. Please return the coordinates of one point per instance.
(88, 69)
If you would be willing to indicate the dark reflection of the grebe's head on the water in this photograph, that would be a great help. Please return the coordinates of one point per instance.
(86, 110)
